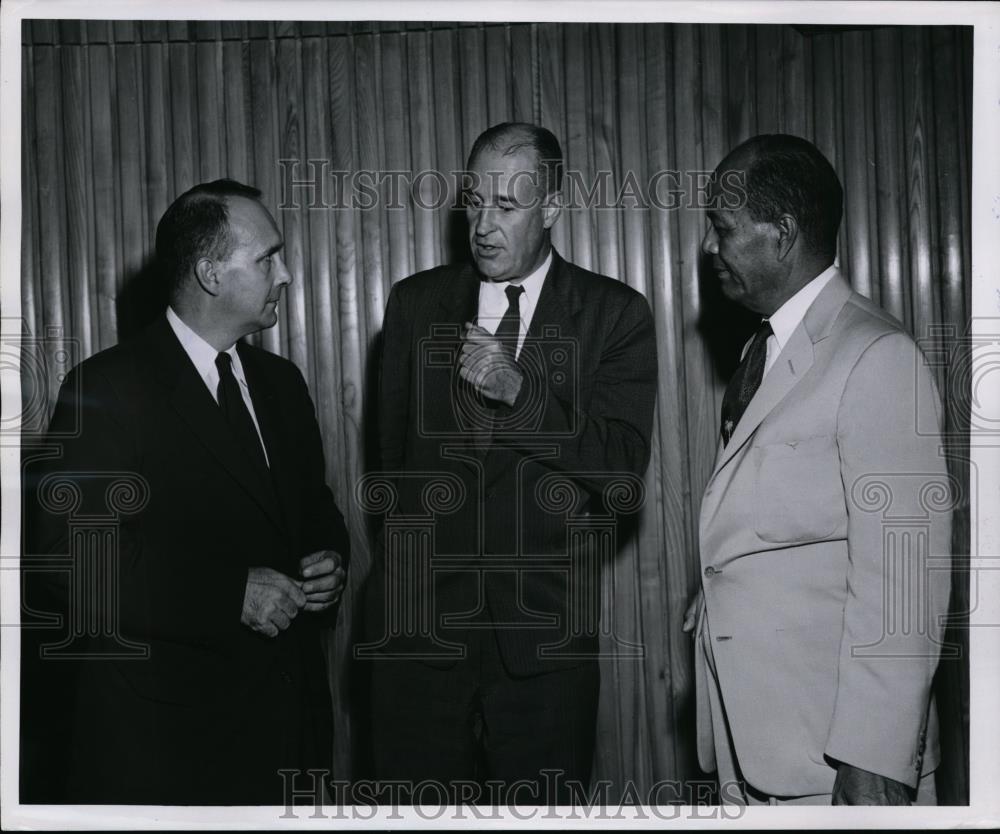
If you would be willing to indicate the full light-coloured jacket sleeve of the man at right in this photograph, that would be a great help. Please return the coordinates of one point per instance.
(898, 579)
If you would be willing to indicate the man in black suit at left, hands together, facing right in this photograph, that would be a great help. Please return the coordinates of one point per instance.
(204, 674)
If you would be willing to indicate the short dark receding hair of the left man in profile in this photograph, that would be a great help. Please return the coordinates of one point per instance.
(197, 226)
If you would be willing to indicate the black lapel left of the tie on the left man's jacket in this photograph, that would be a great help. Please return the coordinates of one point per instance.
(191, 399)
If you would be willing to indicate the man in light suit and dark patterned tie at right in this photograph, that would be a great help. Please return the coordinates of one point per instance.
(819, 625)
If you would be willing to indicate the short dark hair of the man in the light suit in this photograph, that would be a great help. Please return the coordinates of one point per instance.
(788, 175)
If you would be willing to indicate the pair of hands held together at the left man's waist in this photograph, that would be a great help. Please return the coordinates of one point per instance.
(272, 599)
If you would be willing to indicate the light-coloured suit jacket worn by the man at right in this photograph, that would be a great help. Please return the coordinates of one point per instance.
(825, 534)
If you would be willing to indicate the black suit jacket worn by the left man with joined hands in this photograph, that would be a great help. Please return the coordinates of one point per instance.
(215, 709)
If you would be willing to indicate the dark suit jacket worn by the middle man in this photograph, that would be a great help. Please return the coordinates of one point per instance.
(523, 496)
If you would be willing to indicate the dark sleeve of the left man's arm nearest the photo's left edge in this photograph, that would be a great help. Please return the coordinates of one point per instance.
(156, 598)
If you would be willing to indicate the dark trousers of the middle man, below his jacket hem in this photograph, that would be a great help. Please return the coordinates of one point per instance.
(473, 733)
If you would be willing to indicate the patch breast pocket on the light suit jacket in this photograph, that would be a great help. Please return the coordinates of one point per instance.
(799, 495)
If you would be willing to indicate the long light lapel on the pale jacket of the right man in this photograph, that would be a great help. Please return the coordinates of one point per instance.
(792, 364)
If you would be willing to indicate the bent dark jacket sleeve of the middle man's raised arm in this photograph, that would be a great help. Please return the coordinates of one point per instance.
(612, 433)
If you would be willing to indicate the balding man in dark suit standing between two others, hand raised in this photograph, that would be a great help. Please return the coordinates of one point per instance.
(516, 402)
